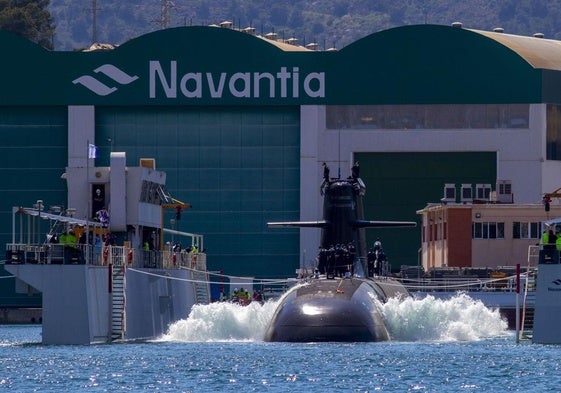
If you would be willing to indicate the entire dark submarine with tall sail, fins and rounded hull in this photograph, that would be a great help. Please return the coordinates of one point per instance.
(340, 302)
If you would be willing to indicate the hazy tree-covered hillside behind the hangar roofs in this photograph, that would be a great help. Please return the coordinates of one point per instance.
(329, 23)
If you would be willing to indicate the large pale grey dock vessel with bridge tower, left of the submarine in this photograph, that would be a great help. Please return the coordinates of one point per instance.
(132, 285)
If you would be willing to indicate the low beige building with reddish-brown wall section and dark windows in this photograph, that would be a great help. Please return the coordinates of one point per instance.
(481, 234)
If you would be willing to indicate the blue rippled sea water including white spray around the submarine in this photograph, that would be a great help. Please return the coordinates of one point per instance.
(456, 345)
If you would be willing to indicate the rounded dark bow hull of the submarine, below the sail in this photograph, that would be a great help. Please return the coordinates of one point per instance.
(341, 310)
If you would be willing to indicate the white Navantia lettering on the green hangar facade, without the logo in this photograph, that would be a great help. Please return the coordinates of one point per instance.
(282, 84)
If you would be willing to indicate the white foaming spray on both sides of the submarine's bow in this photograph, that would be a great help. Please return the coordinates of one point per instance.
(458, 319)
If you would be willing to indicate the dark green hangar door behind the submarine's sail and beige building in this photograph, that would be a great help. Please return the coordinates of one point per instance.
(399, 184)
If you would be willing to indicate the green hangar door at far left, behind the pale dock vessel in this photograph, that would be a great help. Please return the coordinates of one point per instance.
(33, 155)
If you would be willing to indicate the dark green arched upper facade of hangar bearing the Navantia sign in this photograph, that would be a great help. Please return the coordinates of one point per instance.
(214, 66)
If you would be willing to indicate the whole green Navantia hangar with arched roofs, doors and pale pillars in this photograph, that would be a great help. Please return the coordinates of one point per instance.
(241, 124)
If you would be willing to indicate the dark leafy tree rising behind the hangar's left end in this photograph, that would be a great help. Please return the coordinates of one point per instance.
(28, 18)
